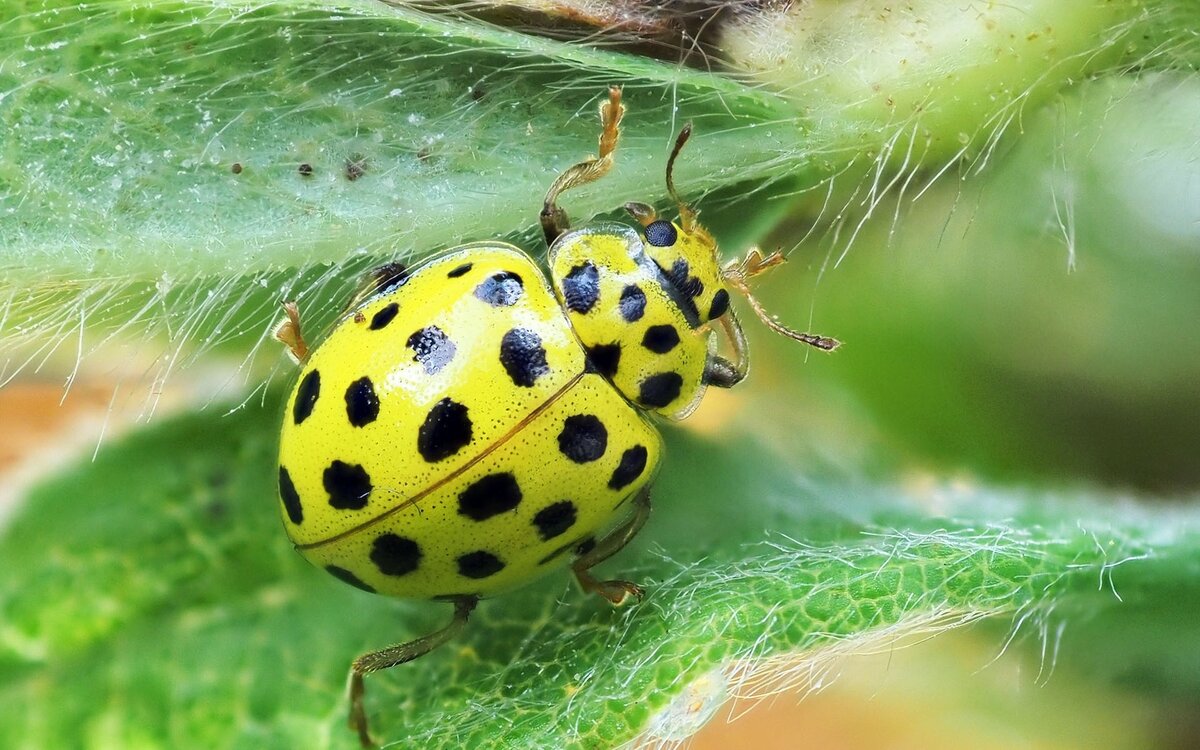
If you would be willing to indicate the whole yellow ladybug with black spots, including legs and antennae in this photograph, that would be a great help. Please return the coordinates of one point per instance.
(466, 428)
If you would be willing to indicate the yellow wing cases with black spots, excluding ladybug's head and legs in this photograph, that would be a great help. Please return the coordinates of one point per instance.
(452, 439)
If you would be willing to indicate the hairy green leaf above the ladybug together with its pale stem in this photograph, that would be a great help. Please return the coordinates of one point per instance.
(124, 122)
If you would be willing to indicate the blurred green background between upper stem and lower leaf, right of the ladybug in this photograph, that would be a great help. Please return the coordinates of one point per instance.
(1037, 323)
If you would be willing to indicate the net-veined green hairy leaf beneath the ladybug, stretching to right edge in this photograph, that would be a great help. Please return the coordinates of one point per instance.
(173, 611)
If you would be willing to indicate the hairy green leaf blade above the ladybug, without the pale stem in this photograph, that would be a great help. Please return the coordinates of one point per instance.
(125, 122)
